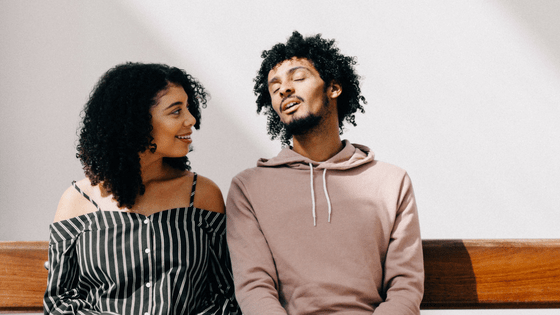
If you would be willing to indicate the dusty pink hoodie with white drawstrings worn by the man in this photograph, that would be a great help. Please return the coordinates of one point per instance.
(340, 236)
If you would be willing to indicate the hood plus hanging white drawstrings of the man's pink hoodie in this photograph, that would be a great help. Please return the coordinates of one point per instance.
(351, 156)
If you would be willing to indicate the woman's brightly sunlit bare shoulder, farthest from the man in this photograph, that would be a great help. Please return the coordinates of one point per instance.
(72, 204)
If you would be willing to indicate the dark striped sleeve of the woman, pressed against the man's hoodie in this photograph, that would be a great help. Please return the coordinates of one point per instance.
(221, 279)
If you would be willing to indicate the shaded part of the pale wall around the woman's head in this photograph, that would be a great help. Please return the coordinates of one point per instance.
(95, 38)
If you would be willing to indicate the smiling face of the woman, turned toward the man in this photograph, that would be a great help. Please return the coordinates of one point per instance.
(172, 122)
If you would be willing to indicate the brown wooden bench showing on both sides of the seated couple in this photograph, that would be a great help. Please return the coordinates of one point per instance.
(460, 274)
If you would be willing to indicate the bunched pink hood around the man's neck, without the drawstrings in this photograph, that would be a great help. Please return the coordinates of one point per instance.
(351, 156)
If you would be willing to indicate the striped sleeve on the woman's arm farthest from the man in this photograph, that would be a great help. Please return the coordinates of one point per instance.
(62, 295)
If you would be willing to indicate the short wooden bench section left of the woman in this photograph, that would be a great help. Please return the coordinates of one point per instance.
(23, 277)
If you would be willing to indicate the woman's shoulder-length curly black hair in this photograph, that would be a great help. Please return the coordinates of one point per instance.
(117, 125)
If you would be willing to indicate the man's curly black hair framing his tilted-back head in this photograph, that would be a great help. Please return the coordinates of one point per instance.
(331, 65)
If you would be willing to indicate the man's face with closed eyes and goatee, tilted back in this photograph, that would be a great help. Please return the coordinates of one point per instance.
(298, 95)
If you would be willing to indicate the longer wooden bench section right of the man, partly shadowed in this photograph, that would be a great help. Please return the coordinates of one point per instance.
(489, 274)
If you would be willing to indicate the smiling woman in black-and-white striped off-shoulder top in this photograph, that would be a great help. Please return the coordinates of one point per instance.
(141, 234)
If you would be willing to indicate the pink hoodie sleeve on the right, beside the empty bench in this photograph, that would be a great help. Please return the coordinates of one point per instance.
(403, 280)
